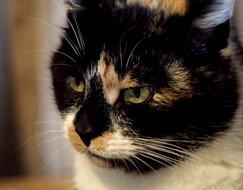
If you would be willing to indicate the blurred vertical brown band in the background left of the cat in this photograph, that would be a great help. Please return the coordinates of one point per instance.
(24, 37)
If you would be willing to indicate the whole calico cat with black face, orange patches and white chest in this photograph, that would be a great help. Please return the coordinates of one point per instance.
(150, 92)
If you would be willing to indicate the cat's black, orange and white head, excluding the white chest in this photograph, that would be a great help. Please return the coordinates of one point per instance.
(143, 84)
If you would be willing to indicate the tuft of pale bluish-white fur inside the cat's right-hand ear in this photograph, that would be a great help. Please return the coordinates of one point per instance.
(220, 12)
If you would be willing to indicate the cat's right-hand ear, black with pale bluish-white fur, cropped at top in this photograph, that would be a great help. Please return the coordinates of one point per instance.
(212, 20)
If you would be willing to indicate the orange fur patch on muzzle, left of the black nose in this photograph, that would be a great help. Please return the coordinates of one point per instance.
(75, 139)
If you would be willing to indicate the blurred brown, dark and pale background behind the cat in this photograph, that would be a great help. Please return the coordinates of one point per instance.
(31, 141)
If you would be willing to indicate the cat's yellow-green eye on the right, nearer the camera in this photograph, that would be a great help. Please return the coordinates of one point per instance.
(137, 95)
